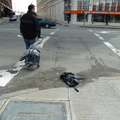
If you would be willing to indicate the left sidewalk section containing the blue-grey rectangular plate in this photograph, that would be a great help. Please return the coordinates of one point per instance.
(44, 103)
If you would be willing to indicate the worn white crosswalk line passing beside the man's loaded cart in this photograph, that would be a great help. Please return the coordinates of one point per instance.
(7, 75)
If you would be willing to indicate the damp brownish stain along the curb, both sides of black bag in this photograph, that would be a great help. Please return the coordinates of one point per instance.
(51, 78)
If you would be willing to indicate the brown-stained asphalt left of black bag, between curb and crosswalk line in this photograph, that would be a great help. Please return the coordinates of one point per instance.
(42, 79)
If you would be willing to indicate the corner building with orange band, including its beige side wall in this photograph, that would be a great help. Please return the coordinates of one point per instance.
(80, 11)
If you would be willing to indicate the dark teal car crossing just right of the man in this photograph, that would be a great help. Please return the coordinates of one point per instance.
(46, 22)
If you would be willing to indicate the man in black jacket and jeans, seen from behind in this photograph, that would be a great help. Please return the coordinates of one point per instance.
(30, 27)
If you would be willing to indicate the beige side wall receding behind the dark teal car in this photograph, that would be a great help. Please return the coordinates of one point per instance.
(52, 9)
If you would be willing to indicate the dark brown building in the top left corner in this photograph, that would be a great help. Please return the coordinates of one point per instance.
(5, 8)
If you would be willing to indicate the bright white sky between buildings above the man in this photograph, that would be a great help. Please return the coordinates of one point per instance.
(22, 5)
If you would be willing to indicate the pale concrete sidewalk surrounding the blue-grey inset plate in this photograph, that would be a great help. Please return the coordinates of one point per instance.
(98, 100)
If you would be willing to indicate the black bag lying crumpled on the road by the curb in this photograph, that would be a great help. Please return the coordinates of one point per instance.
(71, 79)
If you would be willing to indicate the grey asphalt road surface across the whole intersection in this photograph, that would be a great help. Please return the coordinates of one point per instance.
(71, 49)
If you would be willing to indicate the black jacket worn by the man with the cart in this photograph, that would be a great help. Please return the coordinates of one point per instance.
(29, 26)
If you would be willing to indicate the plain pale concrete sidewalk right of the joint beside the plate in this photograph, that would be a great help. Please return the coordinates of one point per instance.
(96, 100)
